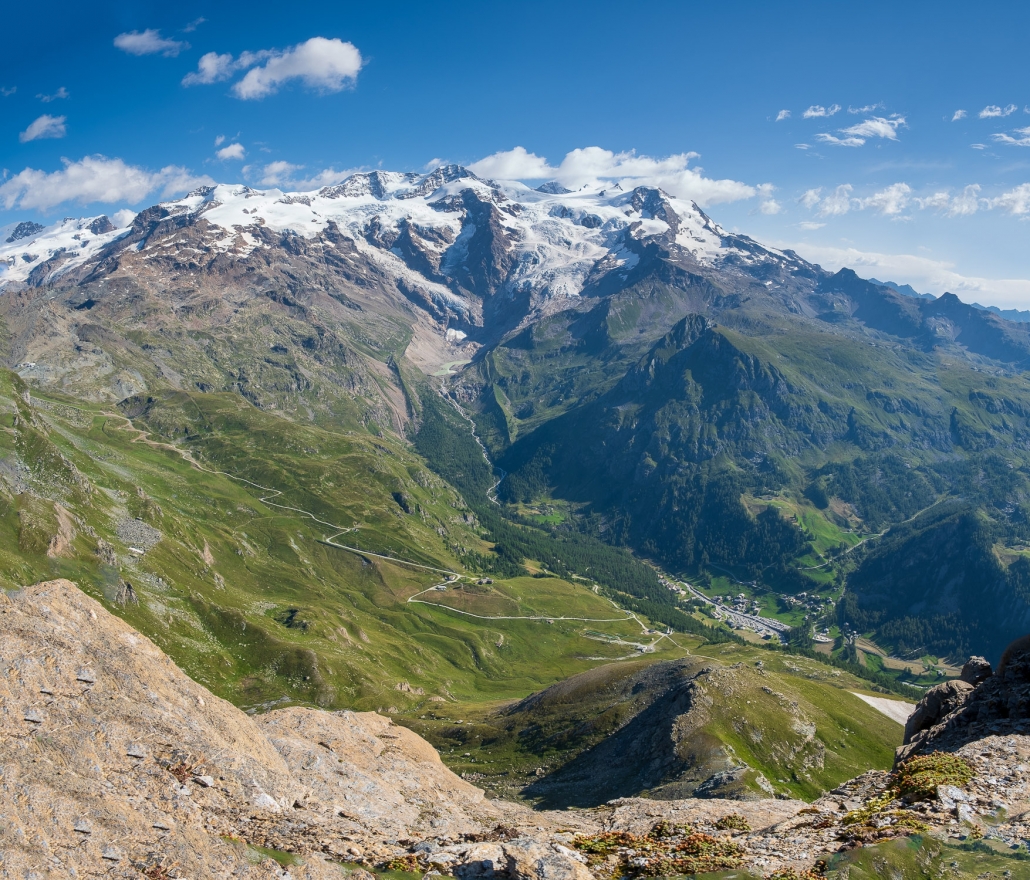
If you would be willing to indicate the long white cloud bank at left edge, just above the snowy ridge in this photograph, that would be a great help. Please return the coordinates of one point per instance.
(94, 179)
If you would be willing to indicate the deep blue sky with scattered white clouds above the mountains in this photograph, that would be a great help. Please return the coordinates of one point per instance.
(110, 107)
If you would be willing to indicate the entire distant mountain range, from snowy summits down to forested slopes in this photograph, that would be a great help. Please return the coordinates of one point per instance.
(712, 402)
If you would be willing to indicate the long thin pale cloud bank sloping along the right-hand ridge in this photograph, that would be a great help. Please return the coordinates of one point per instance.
(922, 273)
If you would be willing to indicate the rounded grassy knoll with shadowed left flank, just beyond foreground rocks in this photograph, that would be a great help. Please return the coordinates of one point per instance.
(728, 721)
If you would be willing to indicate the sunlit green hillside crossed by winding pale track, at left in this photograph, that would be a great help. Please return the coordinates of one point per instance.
(252, 599)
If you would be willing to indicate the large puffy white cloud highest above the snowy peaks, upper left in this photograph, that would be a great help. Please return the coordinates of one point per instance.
(326, 65)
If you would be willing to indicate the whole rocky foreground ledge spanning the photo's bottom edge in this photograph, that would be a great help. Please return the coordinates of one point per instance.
(116, 764)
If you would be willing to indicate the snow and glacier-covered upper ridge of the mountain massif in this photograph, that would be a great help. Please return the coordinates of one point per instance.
(450, 239)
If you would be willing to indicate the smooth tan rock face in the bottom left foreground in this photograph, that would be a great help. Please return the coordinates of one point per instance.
(112, 757)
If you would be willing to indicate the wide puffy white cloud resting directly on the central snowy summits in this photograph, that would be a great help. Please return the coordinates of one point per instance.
(594, 166)
